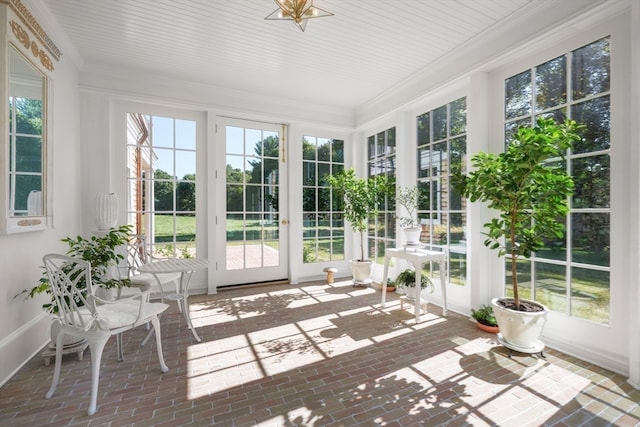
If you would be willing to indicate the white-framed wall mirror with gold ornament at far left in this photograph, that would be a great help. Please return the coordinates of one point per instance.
(24, 125)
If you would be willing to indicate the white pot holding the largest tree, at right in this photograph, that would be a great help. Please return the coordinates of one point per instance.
(520, 330)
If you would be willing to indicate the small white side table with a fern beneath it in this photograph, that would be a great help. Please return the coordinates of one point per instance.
(417, 257)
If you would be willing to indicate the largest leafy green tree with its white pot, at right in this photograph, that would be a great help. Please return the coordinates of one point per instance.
(529, 187)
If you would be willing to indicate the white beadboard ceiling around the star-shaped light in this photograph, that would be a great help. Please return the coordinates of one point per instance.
(344, 60)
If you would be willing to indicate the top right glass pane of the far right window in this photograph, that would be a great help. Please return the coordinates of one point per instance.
(590, 67)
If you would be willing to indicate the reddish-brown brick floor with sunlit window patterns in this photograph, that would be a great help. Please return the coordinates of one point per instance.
(320, 355)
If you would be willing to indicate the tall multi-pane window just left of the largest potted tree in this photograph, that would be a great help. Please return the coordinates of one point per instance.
(441, 149)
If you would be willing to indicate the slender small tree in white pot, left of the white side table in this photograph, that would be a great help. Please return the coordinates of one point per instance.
(361, 199)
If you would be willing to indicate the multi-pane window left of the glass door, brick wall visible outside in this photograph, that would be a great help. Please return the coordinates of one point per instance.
(162, 180)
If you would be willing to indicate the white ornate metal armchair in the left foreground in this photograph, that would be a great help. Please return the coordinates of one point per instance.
(82, 314)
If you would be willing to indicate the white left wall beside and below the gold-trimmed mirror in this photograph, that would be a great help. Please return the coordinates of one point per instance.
(24, 326)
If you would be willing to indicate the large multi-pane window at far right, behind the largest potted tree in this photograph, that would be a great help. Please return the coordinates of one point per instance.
(572, 275)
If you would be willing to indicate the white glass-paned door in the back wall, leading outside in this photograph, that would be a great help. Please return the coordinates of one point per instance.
(251, 228)
